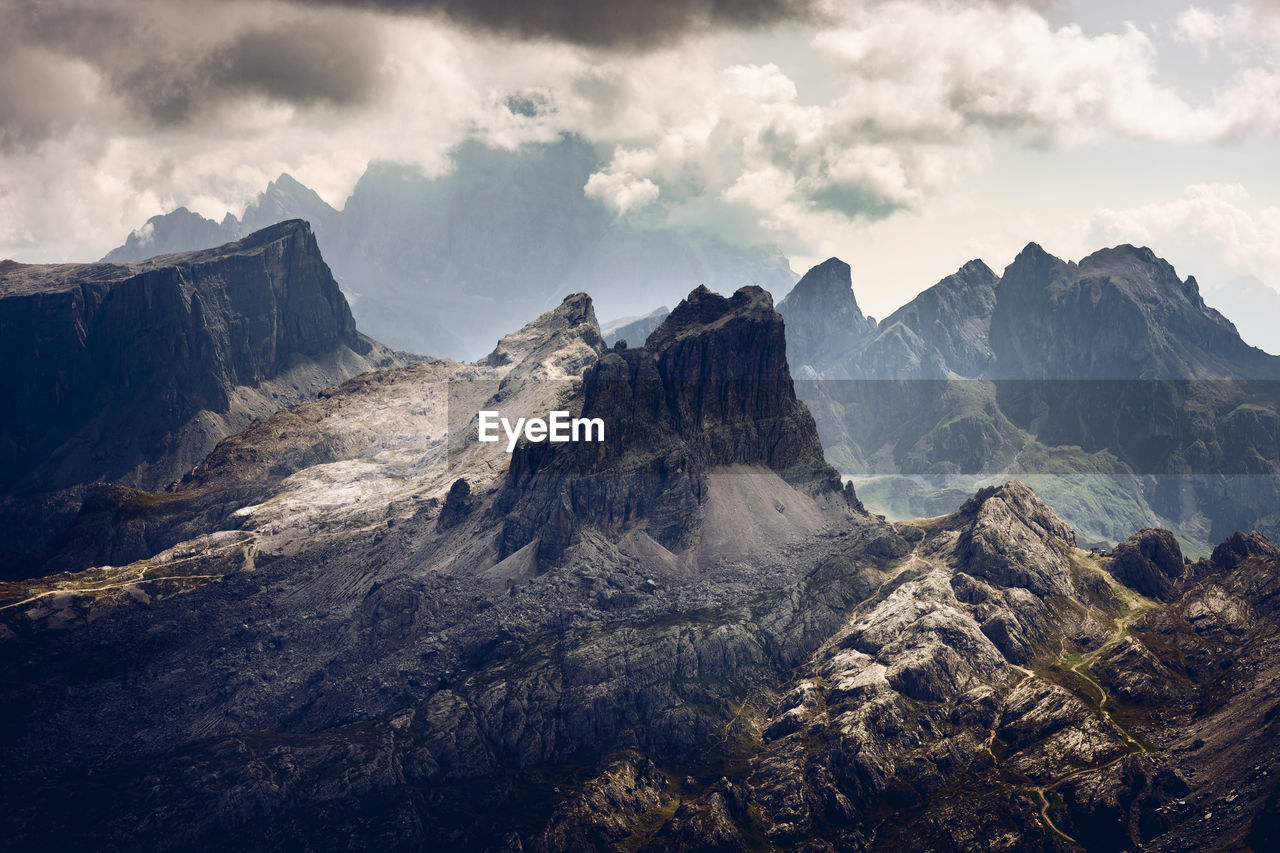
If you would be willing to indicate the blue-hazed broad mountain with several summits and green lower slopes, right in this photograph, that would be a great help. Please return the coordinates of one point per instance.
(1112, 376)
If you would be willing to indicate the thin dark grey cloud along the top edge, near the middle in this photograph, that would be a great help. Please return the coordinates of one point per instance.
(624, 24)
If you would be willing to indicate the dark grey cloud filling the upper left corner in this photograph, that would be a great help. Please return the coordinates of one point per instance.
(171, 63)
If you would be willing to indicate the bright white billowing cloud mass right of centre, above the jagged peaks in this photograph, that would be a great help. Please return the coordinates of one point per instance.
(922, 89)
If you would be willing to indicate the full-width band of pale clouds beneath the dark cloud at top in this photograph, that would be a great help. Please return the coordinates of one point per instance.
(913, 97)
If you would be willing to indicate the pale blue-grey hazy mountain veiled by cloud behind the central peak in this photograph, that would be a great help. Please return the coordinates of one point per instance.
(446, 266)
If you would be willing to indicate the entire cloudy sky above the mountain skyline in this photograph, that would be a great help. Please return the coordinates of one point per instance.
(904, 136)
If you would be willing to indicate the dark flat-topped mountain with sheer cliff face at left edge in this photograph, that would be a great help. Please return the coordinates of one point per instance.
(131, 373)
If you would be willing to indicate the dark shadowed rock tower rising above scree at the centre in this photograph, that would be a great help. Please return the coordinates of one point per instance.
(711, 389)
